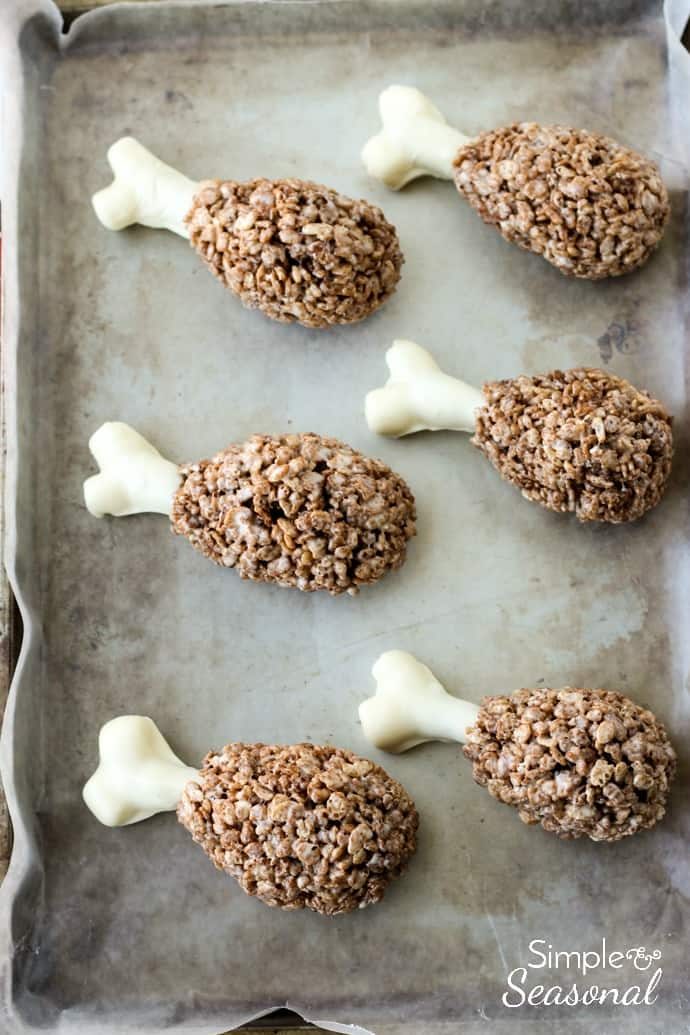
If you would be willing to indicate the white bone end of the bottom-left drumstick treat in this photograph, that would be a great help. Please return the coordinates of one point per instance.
(138, 775)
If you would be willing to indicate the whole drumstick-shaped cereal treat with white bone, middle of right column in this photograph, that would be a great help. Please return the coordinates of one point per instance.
(582, 441)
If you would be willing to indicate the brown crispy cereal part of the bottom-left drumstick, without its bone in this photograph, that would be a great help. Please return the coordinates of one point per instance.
(302, 826)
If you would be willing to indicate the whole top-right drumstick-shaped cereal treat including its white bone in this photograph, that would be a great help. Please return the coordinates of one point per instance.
(590, 206)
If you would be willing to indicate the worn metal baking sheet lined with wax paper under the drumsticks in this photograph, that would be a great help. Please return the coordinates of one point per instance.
(132, 930)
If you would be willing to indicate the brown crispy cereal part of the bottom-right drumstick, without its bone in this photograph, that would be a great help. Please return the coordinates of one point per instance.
(581, 762)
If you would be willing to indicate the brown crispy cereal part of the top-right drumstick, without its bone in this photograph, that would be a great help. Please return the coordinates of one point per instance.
(587, 204)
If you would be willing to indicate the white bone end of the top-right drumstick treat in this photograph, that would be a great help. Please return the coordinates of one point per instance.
(415, 140)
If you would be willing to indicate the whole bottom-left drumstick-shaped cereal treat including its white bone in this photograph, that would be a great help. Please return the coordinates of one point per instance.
(299, 827)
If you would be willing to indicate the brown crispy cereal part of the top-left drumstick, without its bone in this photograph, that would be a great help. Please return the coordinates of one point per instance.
(295, 250)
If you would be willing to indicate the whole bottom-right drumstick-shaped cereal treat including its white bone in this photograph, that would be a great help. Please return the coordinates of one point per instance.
(580, 762)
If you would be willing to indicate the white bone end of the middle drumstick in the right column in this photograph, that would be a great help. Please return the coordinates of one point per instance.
(419, 397)
